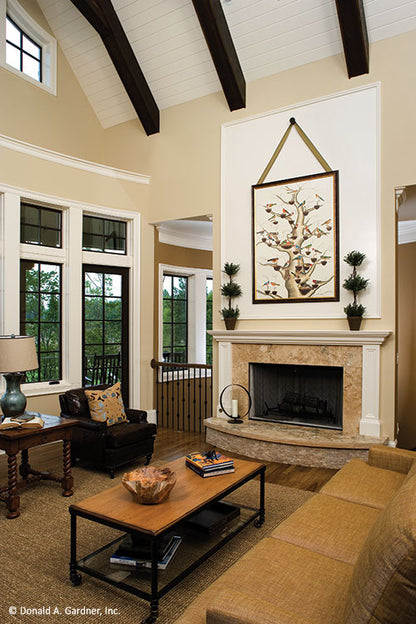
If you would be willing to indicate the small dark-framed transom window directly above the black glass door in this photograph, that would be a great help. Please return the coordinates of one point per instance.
(104, 235)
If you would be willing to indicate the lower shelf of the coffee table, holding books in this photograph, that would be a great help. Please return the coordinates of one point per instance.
(194, 549)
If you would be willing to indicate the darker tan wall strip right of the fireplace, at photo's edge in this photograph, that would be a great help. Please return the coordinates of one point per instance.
(406, 387)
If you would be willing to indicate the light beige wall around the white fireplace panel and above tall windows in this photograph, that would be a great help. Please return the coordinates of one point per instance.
(184, 161)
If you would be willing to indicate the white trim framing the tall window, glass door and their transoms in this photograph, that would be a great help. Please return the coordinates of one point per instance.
(72, 258)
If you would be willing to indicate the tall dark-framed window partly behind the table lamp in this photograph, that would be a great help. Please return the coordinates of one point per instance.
(41, 316)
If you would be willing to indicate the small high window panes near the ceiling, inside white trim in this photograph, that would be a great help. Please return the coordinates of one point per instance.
(22, 52)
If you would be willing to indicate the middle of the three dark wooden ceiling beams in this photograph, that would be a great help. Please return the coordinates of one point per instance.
(223, 53)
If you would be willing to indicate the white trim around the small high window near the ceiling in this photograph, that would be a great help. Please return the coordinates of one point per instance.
(44, 39)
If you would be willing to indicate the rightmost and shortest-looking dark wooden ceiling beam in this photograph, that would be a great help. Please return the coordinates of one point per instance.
(354, 35)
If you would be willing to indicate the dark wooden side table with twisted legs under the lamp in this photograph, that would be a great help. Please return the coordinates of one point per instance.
(14, 440)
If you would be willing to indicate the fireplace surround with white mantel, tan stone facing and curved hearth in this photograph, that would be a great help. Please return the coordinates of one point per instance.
(358, 352)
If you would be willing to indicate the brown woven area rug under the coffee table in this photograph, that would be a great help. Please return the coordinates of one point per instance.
(35, 557)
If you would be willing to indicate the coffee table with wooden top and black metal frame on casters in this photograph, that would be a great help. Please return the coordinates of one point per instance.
(116, 508)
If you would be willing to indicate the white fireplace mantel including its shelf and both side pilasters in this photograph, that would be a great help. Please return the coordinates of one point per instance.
(369, 341)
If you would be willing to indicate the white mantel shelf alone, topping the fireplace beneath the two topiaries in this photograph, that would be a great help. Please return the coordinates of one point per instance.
(305, 337)
